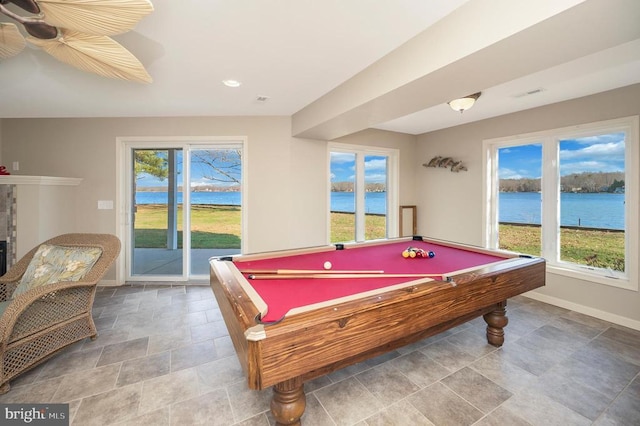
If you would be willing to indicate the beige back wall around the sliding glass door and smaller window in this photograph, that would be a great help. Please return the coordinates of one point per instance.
(287, 179)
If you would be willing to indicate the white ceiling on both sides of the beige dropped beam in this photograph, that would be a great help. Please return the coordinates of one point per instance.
(291, 51)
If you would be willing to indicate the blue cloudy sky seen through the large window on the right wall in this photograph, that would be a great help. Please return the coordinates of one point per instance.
(604, 153)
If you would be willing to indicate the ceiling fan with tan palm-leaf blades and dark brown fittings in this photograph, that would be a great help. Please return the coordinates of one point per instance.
(76, 32)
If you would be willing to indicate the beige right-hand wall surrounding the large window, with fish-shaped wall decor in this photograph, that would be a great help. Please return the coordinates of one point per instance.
(450, 205)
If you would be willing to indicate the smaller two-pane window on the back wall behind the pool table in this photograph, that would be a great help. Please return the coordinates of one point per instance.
(363, 195)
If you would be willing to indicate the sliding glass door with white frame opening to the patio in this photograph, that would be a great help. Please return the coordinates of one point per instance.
(185, 207)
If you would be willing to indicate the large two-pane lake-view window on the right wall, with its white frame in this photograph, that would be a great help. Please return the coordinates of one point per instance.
(570, 196)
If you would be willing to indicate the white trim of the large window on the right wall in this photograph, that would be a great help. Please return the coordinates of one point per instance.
(550, 192)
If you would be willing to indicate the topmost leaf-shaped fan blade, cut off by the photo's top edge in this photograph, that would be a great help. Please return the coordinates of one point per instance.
(98, 17)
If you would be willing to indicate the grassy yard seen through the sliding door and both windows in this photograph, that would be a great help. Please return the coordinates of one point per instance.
(219, 226)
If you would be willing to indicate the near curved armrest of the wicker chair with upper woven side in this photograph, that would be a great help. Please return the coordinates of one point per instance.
(43, 306)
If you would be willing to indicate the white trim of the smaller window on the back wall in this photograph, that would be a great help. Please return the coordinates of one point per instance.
(393, 203)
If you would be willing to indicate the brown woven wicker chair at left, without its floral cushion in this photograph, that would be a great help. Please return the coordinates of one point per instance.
(39, 323)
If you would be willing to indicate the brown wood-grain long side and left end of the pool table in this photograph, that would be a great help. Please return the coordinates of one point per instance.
(312, 343)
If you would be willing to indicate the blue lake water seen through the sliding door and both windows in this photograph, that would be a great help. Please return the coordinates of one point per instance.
(599, 210)
